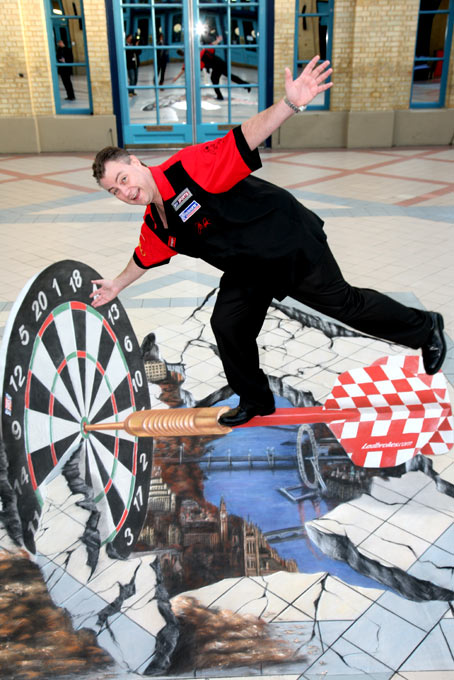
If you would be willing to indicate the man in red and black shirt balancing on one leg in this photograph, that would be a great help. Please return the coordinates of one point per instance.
(203, 203)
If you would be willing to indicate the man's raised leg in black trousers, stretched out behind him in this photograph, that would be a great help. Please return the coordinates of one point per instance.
(366, 310)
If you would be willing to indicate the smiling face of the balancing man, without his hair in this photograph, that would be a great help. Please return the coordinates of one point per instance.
(131, 182)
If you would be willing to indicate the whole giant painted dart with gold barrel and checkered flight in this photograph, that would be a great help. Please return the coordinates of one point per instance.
(382, 415)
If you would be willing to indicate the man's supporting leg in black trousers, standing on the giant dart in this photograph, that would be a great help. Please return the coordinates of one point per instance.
(237, 318)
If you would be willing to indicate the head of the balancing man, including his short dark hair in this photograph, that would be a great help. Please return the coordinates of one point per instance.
(124, 176)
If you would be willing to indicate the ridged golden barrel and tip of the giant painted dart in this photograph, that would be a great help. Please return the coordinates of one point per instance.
(169, 423)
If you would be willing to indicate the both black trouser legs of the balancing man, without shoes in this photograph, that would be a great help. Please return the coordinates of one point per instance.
(240, 311)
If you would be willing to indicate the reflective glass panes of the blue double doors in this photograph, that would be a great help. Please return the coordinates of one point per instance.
(226, 63)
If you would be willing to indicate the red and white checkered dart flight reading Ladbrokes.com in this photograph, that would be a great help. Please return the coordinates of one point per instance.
(402, 411)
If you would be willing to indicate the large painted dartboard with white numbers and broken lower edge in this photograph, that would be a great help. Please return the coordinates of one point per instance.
(64, 364)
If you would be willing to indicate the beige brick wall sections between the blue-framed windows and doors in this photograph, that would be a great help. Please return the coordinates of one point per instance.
(373, 51)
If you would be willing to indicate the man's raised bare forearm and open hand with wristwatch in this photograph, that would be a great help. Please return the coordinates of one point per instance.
(299, 92)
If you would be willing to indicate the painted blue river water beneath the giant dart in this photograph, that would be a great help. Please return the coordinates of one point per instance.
(254, 495)
